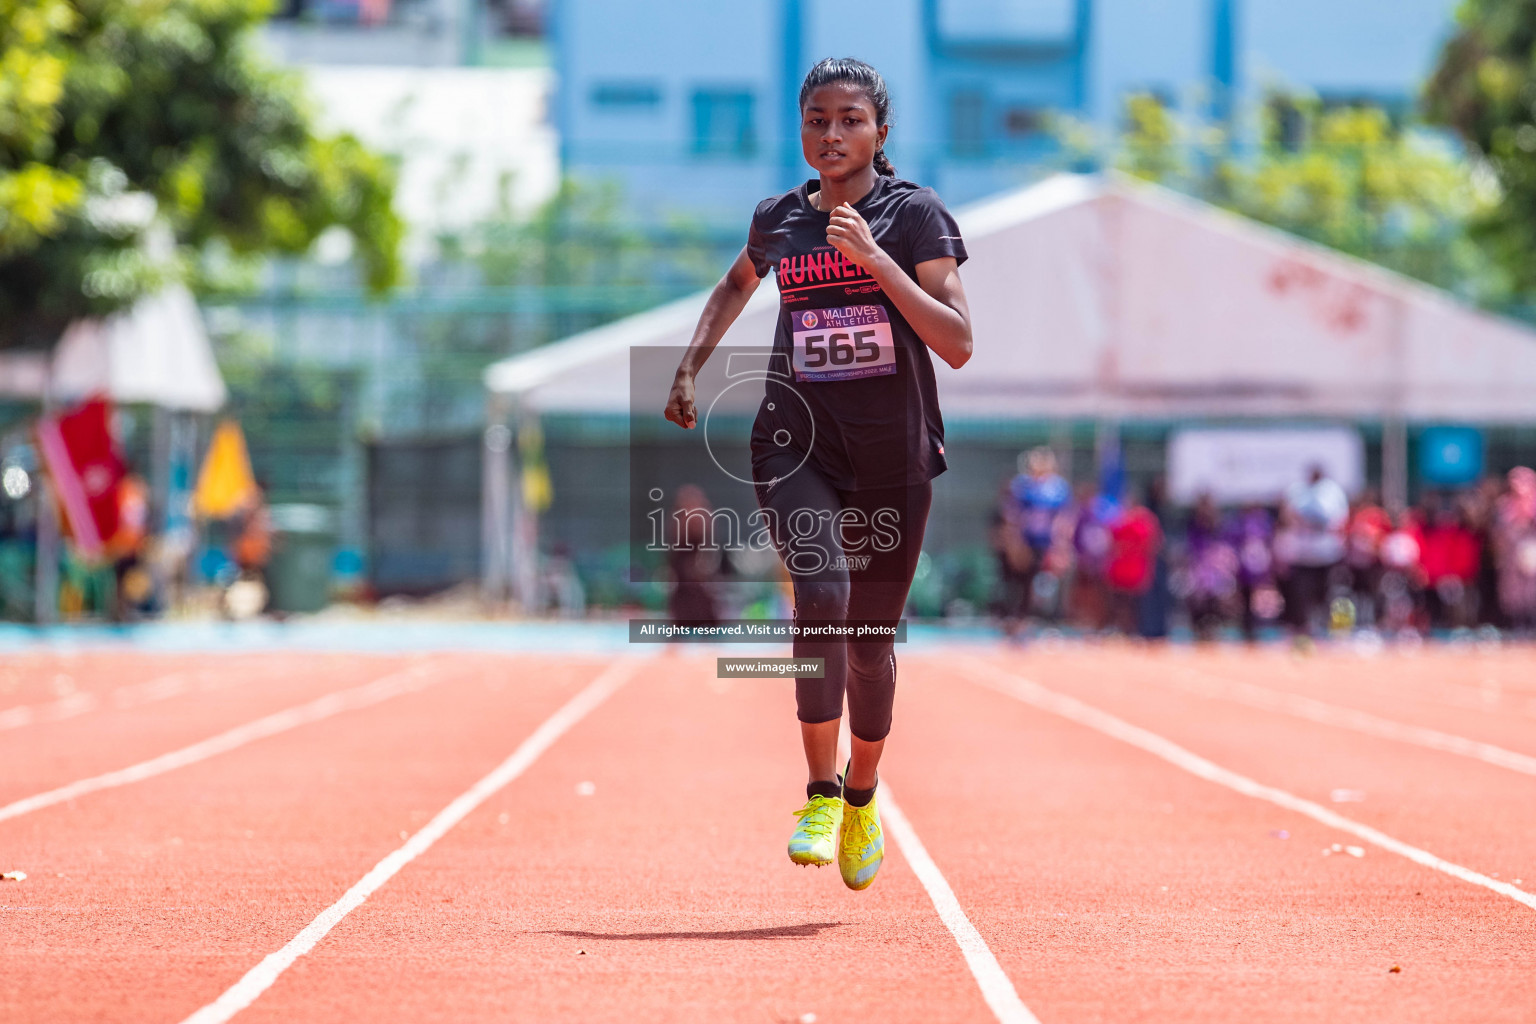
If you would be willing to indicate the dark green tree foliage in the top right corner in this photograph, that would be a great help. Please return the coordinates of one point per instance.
(1485, 88)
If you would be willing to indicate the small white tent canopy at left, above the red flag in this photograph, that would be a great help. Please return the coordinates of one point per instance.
(157, 354)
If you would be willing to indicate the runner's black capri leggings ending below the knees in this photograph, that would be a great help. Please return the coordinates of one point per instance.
(852, 557)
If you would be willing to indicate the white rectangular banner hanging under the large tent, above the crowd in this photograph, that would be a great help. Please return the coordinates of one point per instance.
(1257, 466)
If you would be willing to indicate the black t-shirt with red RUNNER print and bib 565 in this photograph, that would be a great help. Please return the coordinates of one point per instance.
(856, 394)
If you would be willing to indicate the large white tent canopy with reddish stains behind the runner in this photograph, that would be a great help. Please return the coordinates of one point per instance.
(1116, 300)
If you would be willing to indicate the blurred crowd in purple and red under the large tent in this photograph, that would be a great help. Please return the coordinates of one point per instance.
(1110, 560)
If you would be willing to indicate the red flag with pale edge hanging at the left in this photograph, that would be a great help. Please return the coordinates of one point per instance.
(87, 469)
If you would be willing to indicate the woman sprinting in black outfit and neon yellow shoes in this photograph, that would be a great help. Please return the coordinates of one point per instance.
(849, 437)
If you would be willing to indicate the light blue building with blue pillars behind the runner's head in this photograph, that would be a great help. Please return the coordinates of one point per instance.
(694, 104)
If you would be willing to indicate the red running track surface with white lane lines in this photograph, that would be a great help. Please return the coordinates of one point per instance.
(1111, 885)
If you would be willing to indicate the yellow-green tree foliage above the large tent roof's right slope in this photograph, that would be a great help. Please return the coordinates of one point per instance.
(1345, 177)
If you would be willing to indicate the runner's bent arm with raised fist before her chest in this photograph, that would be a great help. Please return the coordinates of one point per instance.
(935, 305)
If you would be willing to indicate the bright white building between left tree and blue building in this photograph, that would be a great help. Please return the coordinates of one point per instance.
(455, 90)
